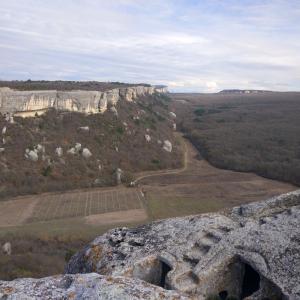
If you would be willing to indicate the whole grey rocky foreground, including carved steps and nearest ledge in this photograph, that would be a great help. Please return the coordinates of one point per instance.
(249, 252)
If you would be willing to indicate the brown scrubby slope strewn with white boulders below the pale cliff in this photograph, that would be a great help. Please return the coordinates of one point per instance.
(74, 150)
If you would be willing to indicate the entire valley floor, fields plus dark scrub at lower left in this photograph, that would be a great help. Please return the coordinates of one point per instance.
(75, 217)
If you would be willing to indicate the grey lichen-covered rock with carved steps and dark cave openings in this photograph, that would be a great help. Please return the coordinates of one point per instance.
(211, 253)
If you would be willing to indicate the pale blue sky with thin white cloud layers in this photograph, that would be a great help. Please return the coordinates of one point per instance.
(188, 45)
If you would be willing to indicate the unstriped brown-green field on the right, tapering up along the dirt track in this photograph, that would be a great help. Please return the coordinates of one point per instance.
(199, 188)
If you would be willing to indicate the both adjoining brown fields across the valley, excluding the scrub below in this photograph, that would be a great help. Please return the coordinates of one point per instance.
(198, 187)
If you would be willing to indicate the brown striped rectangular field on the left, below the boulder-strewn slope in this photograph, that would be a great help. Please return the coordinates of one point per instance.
(64, 206)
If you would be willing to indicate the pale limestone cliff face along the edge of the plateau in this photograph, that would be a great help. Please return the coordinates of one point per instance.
(23, 103)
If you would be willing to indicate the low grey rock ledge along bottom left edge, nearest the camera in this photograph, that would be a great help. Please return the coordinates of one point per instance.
(84, 286)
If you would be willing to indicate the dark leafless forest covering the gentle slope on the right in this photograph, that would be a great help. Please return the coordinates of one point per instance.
(257, 133)
